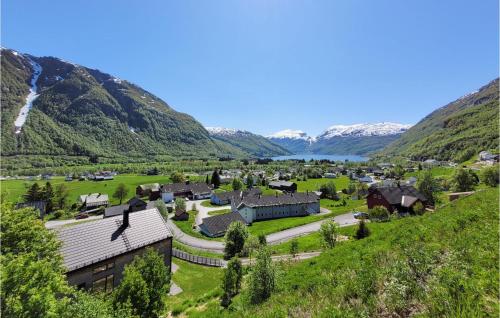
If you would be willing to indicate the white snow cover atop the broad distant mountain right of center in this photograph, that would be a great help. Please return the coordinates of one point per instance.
(357, 130)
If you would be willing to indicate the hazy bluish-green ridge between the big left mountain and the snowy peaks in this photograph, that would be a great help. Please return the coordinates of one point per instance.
(248, 142)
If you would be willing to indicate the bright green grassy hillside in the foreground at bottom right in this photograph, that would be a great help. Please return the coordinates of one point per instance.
(441, 264)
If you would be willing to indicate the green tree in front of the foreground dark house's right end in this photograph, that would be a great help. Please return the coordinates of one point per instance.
(145, 282)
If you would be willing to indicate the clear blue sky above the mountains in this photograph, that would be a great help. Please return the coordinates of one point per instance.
(267, 65)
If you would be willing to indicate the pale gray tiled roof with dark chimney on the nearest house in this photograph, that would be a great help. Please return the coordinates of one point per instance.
(91, 242)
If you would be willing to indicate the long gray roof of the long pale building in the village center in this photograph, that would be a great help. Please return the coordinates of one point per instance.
(272, 200)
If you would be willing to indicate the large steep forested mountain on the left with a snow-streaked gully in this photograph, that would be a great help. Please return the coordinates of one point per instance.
(84, 112)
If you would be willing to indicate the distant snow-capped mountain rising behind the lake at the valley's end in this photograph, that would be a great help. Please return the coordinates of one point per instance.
(341, 139)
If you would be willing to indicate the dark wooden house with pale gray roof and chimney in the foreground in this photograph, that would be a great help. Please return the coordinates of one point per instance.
(95, 253)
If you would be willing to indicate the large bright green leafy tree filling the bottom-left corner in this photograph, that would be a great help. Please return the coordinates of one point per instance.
(32, 273)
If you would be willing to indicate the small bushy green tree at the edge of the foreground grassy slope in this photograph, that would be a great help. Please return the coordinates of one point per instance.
(262, 277)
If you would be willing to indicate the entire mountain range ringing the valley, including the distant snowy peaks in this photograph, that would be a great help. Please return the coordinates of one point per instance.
(52, 107)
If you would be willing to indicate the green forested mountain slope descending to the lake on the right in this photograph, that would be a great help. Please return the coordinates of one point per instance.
(456, 131)
